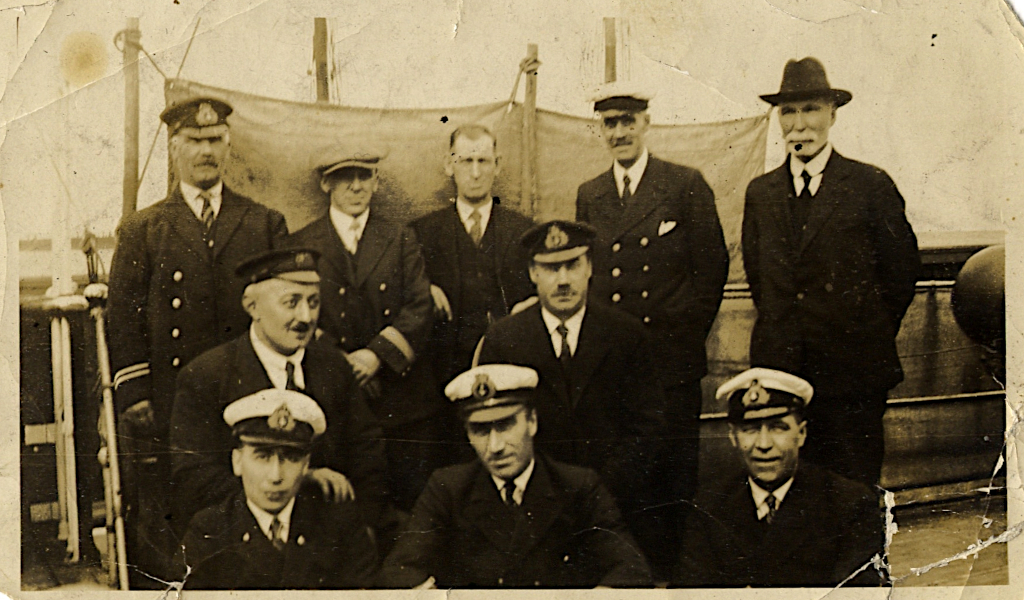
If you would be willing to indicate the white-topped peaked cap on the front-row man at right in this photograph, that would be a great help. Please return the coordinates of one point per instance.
(764, 394)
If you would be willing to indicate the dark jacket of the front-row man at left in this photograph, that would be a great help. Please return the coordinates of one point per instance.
(329, 548)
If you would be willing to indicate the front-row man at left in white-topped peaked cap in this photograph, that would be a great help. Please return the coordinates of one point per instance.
(278, 534)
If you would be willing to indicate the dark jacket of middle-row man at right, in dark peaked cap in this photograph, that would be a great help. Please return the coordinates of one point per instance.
(613, 417)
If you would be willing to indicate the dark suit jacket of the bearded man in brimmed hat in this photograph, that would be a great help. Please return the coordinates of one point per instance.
(831, 297)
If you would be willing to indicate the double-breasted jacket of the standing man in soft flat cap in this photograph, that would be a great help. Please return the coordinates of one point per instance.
(379, 299)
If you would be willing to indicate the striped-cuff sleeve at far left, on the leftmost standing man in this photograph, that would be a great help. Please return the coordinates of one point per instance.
(126, 317)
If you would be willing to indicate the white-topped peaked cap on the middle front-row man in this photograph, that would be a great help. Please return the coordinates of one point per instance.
(490, 393)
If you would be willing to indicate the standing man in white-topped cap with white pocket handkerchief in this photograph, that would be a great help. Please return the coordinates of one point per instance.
(661, 256)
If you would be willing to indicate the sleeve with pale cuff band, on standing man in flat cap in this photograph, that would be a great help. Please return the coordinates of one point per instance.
(399, 345)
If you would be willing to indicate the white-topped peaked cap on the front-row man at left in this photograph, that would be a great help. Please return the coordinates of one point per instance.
(276, 417)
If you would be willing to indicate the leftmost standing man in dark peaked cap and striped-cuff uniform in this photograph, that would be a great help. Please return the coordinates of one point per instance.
(174, 295)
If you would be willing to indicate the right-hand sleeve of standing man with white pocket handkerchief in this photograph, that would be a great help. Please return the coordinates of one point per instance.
(698, 301)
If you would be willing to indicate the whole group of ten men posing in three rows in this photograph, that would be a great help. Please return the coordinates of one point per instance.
(298, 405)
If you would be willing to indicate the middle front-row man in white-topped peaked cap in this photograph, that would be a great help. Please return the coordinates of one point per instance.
(514, 519)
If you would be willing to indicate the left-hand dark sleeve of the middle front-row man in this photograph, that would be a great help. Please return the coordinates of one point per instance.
(420, 550)
